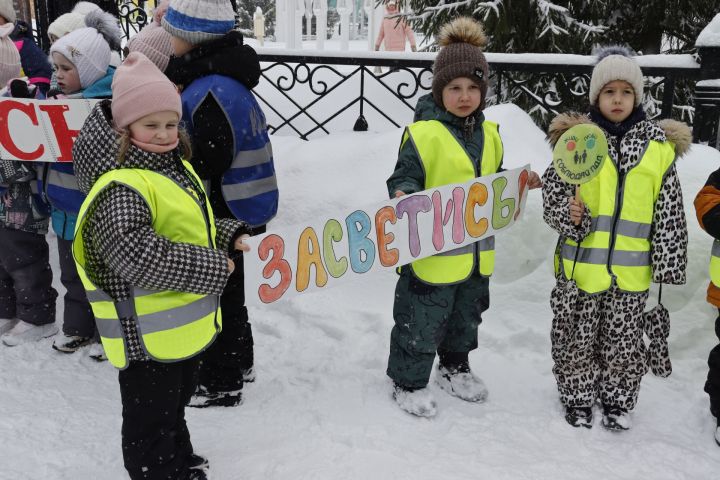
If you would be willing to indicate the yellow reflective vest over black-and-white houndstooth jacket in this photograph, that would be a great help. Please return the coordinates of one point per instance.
(172, 325)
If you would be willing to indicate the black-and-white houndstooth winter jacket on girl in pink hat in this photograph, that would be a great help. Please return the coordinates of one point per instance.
(121, 247)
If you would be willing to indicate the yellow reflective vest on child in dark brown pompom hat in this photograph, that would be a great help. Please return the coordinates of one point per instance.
(445, 161)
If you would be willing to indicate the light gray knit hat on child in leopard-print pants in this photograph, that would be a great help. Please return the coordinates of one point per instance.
(615, 63)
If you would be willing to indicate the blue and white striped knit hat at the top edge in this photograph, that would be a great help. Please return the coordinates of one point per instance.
(198, 21)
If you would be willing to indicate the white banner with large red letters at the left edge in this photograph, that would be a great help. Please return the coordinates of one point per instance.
(41, 130)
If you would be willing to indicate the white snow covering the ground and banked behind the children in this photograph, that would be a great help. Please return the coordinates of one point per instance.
(321, 406)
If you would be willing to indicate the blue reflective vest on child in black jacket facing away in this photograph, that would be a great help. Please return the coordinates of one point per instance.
(249, 186)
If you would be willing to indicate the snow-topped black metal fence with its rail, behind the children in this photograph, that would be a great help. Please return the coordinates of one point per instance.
(307, 93)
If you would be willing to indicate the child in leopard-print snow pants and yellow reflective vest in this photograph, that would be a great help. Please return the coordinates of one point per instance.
(631, 228)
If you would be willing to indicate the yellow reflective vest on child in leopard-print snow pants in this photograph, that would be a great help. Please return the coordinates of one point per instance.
(618, 244)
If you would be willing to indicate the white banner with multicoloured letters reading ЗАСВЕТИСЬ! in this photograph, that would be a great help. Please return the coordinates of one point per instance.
(322, 253)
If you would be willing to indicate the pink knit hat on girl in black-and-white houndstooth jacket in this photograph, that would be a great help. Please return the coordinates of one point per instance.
(139, 89)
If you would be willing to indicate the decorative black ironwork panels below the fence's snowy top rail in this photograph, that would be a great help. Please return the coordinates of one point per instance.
(543, 89)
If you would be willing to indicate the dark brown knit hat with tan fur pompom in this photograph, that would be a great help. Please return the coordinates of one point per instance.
(461, 42)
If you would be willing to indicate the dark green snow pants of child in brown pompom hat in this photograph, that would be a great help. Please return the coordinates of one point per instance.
(430, 318)
